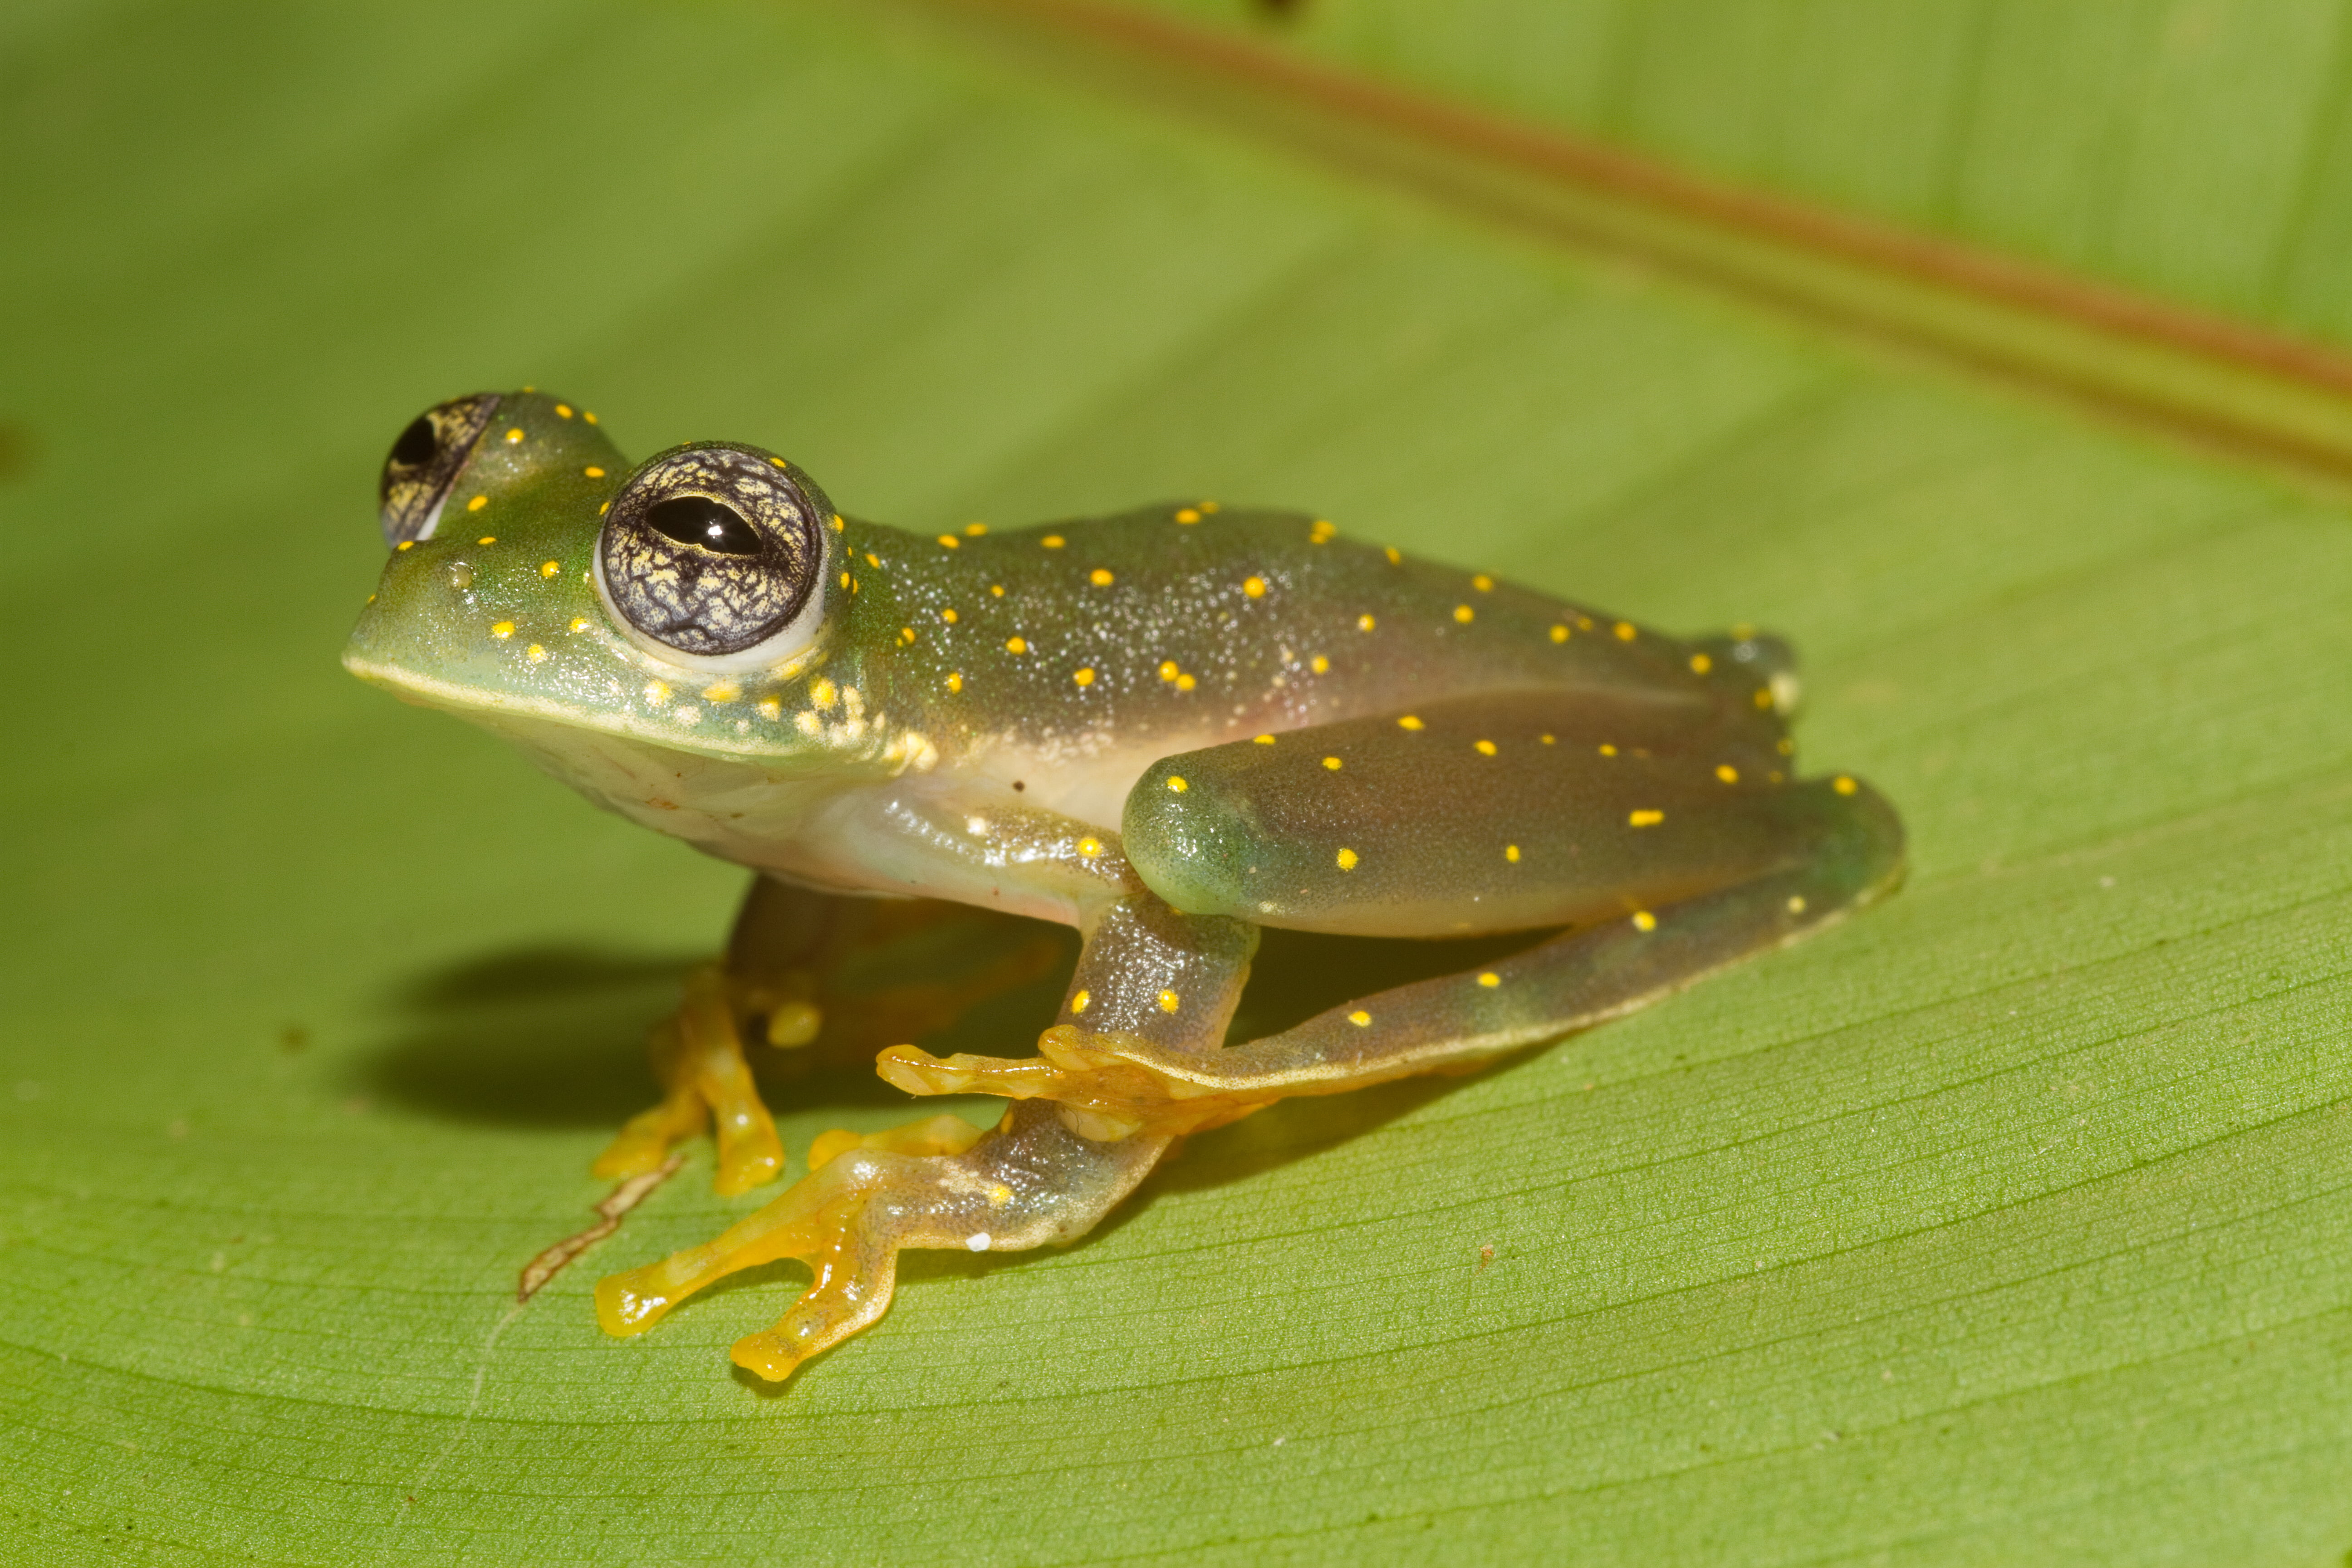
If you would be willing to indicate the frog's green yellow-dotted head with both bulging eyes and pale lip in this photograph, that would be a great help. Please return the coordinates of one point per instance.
(544, 587)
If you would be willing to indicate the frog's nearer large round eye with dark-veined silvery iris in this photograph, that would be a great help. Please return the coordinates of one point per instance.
(714, 554)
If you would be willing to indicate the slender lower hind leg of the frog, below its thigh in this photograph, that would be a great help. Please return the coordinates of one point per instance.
(1850, 852)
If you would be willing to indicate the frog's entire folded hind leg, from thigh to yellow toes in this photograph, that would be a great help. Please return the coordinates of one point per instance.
(1669, 847)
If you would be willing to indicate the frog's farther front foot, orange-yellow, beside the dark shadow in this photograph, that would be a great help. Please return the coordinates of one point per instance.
(700, 1059)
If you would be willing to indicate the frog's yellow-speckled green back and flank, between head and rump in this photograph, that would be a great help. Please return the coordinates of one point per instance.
(1187, 624)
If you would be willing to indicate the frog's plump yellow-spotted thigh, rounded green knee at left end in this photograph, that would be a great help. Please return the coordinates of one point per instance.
(1495, 812)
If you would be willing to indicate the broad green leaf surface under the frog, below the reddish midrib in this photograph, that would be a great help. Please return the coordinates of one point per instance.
(2007, 1224)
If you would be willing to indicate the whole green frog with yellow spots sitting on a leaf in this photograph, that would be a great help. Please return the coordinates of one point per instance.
(1165, 730)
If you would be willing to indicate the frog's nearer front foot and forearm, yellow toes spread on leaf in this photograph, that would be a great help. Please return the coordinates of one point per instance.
(933, 1184)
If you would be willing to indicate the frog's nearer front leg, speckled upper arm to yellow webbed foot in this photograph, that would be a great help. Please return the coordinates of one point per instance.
(1043, 1174)
